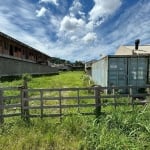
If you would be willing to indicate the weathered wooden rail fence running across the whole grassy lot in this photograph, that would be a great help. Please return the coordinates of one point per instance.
(60, 102)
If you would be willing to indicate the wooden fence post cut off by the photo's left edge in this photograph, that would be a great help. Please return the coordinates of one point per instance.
(1, 107)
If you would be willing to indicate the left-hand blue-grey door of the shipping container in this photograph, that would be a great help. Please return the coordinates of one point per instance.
(117, 72)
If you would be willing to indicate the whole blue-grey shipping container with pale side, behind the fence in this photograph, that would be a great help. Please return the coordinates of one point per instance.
(122, 70)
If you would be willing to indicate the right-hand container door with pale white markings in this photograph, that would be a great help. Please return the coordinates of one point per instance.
(137, 71)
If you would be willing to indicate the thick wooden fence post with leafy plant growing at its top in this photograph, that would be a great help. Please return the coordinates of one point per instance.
(25, 102)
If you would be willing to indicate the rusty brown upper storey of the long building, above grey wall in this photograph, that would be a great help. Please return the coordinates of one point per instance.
(13, 48)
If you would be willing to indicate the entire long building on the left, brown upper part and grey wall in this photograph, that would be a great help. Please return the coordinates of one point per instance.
(17, 58)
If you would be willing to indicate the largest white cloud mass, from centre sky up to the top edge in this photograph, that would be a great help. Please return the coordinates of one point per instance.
(75, 28)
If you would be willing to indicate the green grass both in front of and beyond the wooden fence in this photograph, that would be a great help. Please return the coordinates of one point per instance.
(115, 131)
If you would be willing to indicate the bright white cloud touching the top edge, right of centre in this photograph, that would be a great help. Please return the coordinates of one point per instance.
(102, 9)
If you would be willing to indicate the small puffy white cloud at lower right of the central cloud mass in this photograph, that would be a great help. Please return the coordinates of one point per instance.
(89, 37)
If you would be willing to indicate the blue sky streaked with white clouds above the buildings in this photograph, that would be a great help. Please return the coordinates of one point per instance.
(76, 30)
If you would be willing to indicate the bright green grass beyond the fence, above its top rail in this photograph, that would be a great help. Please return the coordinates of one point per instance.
(69, 79)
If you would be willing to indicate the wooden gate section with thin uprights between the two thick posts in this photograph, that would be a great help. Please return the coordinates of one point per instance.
(57, 102)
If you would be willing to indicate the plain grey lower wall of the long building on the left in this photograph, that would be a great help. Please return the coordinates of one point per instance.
(17, 67)
